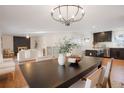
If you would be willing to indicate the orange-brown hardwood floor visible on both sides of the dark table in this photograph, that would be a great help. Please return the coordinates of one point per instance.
(19, 81)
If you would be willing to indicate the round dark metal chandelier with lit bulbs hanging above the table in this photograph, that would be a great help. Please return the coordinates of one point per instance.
(67, 14)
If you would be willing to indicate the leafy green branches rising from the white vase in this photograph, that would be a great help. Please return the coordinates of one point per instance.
(66, 46)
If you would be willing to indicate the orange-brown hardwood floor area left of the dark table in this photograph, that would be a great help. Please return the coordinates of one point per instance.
(18, 82)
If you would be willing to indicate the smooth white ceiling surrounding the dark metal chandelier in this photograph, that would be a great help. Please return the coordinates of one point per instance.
(37, 19)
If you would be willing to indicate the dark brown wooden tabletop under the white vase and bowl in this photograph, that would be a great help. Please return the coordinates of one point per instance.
(49, 74)
